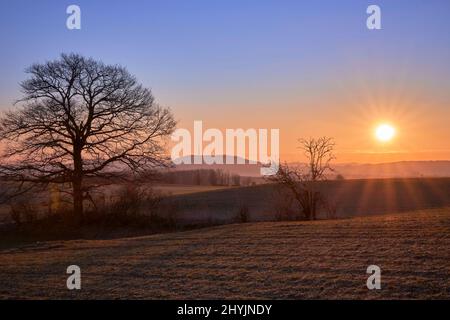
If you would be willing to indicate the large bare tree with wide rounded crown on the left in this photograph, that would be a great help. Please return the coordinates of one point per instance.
(79, 118)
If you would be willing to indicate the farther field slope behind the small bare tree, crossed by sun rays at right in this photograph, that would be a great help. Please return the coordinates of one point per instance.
(352, 197)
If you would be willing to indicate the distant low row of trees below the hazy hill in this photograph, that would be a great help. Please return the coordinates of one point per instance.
(204, 177)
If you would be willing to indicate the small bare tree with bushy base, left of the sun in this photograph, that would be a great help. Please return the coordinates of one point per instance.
(301, 182)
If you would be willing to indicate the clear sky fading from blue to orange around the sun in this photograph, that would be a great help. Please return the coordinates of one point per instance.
(309, 68)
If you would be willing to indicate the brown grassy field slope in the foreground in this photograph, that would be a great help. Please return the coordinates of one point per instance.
(281, 260)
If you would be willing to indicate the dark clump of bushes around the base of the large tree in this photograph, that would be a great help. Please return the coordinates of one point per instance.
(131, 210)
